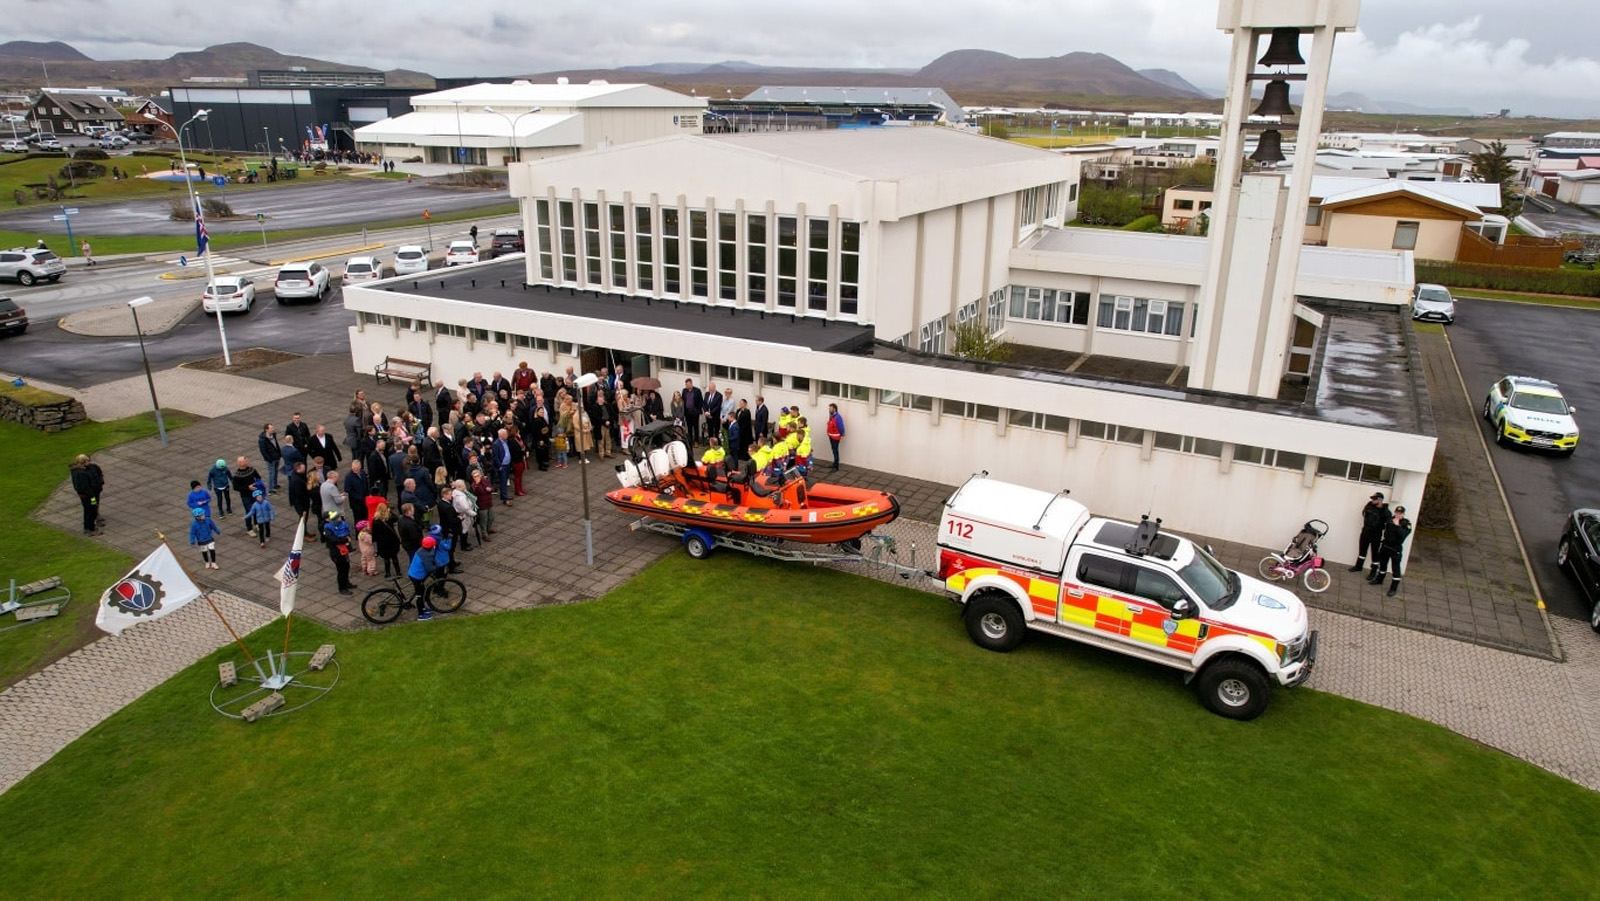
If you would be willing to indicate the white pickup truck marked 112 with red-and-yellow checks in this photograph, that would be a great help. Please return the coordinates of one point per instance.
(1023, 559)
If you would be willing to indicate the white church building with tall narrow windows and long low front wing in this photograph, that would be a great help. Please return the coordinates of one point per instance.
(1234, 385)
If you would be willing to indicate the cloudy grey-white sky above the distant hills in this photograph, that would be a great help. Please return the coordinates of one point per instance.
(1481, 55)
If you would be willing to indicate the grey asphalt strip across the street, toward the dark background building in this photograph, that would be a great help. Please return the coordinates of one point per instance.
(302, 206)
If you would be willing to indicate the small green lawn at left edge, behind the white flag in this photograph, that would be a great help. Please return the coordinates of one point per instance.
(34, 465)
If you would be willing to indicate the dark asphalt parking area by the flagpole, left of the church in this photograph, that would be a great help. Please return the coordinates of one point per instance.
(50, 354)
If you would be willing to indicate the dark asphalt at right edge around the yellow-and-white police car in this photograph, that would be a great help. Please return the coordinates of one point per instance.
(1495, 340)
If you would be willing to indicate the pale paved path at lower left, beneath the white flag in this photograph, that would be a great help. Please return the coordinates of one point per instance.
(50, 710)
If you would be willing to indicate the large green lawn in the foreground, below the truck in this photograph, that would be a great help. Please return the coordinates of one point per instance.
(754, 729)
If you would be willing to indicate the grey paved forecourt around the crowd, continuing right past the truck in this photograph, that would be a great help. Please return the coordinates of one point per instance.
(1524, 703)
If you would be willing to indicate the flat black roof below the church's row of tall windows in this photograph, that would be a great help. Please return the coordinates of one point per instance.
(482, 286)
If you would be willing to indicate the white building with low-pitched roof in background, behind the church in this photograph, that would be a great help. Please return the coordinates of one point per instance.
(494, 124)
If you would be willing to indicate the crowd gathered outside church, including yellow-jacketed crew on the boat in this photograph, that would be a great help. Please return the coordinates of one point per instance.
(414, 486)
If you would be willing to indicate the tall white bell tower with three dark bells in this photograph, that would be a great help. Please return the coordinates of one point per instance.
(1247, 298)
